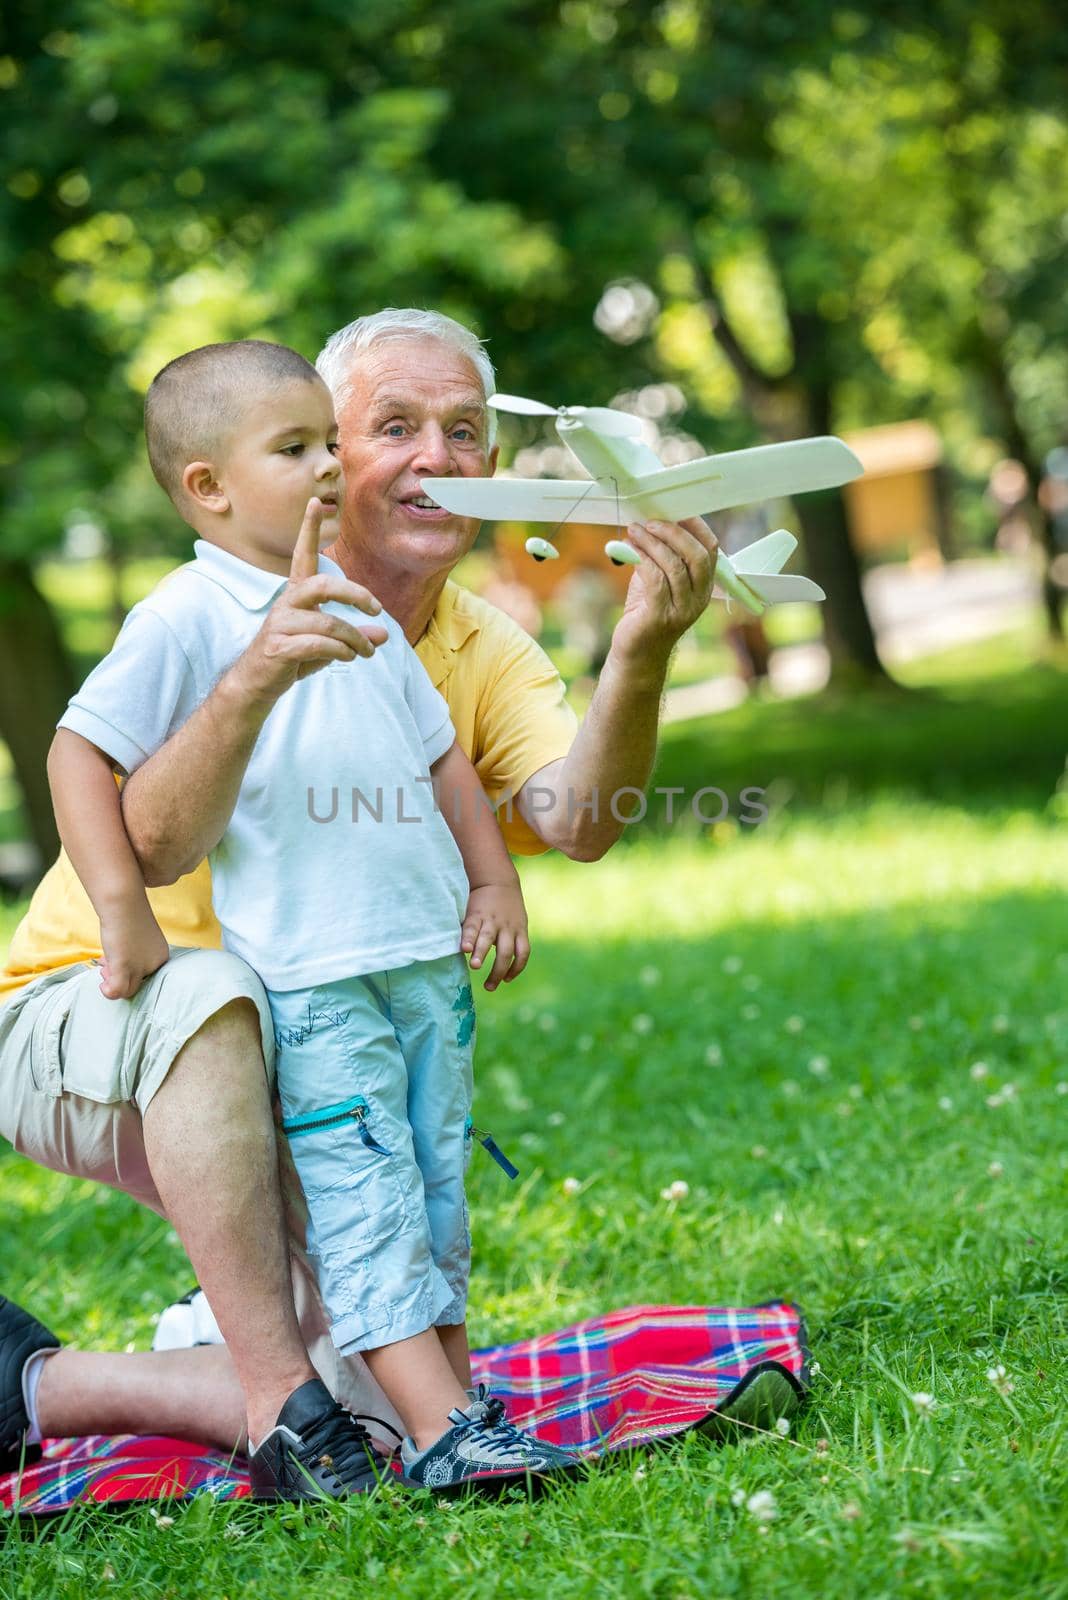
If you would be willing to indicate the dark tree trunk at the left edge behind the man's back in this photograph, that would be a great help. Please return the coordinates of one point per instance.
(36, 684)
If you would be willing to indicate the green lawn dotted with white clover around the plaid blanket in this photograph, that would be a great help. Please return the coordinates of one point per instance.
(791, 1020)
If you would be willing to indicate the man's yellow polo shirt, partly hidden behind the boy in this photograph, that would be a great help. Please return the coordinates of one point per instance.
(511, 716)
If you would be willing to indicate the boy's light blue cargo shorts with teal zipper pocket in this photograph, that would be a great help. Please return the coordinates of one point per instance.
(375, 1078)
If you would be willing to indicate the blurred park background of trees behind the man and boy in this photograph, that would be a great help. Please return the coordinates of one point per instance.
(743, 223)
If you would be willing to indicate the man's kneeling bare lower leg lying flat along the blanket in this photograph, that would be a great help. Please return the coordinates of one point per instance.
(185, 1394)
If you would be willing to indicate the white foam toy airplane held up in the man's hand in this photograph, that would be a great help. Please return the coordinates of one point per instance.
(631, 484)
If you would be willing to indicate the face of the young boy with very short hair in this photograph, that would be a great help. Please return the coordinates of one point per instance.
(279, 457)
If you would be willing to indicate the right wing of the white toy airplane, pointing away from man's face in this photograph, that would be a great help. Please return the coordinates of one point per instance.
(744, 478)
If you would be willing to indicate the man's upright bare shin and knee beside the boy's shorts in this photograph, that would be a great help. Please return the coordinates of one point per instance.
(210, 1143)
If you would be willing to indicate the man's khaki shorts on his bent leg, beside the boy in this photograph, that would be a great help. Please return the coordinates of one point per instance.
(78, 1071)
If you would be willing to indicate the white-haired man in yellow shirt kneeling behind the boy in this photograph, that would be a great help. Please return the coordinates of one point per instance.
(410, 391)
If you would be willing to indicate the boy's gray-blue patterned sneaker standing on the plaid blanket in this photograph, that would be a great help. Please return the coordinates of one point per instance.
(485, 1454)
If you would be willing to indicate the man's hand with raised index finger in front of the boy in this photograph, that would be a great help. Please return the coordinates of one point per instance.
(298, 638)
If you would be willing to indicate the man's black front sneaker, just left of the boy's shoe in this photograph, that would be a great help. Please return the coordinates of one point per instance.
(316, 1450)
